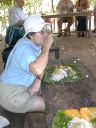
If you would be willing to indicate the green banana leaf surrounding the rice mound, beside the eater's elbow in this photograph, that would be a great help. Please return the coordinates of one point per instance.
(70, 78)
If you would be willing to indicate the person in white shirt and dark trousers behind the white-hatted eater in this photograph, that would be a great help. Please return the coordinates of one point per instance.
(15, 30)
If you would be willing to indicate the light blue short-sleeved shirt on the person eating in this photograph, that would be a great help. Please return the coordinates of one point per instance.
(17, 68)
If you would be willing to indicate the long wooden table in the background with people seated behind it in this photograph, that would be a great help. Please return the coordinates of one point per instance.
(75, 14)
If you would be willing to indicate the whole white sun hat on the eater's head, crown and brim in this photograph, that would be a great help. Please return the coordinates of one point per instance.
(34, 23)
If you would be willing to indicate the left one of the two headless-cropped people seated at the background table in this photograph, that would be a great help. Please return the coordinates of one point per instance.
(64, 6)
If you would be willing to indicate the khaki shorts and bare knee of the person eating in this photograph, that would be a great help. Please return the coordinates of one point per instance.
(17, 99)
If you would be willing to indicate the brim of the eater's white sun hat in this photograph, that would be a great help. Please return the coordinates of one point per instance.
(35, 29)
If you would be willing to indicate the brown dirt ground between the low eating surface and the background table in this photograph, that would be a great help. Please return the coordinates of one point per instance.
(83, 48)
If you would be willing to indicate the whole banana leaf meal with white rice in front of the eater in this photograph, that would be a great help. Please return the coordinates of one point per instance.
(62, 73)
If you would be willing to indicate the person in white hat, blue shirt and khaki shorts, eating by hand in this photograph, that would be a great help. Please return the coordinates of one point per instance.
(21, 80)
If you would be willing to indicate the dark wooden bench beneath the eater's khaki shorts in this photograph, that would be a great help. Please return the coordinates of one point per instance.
(25, 120)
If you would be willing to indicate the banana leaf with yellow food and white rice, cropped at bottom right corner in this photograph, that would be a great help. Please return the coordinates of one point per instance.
(75, 118)
